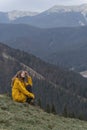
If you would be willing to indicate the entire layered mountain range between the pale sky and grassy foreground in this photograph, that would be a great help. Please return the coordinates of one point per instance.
(58, 36)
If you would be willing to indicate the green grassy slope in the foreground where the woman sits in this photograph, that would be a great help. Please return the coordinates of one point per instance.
(17, 116)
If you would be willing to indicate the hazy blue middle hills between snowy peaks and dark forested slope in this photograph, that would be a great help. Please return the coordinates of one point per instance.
(65, 47)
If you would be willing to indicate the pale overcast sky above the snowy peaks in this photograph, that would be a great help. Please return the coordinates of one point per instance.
(35, 5)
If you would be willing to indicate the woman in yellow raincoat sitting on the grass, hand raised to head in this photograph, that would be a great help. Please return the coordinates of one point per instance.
(22, 87)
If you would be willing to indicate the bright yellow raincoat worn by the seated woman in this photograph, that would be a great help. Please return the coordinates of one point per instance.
(19, 92)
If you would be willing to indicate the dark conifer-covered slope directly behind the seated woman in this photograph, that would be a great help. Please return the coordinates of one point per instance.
(57, 90)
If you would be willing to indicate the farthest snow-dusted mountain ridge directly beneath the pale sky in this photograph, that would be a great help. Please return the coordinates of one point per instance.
(57, 16)
